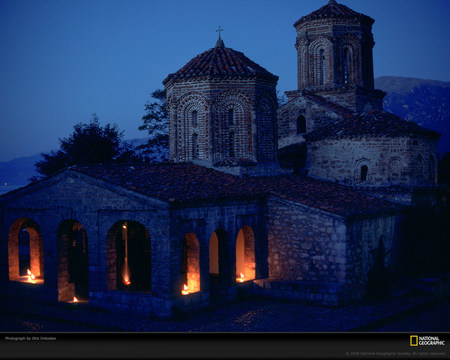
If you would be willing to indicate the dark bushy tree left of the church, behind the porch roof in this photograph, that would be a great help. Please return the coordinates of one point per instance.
(88, 144)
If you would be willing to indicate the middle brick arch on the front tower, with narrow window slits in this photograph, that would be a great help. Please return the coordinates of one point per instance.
(241, 127)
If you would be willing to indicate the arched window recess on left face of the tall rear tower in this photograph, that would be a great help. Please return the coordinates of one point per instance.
(320, 52)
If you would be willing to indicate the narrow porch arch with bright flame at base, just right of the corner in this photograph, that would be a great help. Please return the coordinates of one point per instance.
(190, 272)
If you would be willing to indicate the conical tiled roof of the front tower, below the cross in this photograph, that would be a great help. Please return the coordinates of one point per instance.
(221, 61)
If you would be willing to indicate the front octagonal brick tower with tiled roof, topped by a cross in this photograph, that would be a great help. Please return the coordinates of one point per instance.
(222, 112)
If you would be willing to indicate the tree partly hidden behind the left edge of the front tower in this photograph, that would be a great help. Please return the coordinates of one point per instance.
(156, 122)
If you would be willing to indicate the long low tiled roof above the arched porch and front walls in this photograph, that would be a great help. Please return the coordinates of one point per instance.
(185, 182)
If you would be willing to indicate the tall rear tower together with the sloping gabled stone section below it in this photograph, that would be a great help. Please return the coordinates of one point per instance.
(334, 72)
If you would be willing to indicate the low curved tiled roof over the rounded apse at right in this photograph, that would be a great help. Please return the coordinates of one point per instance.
(373, 123)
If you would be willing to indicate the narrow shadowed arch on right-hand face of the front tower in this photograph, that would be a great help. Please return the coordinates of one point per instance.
(266, 140)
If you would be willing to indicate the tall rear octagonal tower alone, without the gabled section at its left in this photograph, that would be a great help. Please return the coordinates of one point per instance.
(334, 52)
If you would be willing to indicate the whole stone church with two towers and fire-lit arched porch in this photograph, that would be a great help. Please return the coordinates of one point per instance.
(223, 217)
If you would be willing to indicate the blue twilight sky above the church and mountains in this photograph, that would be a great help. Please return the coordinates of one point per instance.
(63, 60)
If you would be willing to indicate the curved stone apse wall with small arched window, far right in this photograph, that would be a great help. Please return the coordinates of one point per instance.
(389, 160)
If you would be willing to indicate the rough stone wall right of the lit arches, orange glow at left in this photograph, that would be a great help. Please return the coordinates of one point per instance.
(305, 244)
